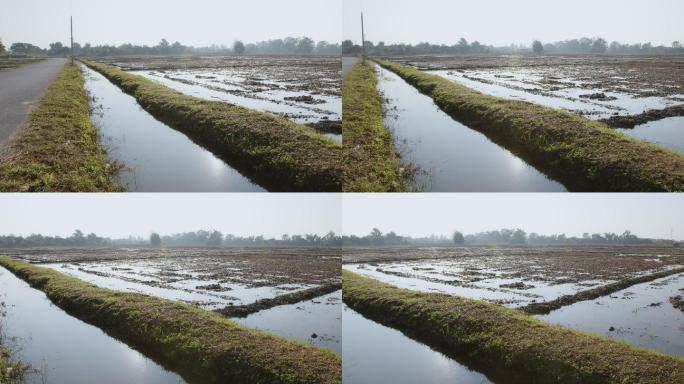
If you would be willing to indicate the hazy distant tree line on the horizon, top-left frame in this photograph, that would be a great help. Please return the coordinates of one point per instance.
(288, 45)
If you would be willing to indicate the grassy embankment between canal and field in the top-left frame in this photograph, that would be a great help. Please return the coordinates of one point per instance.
(272, 150)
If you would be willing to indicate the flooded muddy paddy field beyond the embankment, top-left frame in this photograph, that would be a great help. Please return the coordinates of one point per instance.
(304, 89)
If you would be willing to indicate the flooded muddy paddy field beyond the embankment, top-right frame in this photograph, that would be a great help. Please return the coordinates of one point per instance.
(597, 87)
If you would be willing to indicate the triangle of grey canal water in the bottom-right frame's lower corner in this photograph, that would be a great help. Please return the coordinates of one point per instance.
(373, 353)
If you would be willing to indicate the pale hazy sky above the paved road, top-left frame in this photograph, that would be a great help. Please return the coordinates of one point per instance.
(197, 22)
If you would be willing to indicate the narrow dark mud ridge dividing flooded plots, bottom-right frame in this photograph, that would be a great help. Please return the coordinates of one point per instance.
(594, 293)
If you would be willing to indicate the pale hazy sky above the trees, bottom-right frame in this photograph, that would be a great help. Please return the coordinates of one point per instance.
(648, 215)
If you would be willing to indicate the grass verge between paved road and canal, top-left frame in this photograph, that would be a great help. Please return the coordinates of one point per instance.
(60, 149)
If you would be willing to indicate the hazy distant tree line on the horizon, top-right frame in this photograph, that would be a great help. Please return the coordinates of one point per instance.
(583, 45)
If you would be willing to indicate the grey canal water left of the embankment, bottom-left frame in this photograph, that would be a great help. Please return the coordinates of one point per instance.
(65, 349)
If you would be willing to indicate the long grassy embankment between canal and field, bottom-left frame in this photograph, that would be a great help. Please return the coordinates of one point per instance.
(201, 345)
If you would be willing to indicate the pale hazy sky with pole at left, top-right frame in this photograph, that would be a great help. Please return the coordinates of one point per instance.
(501, 22)
